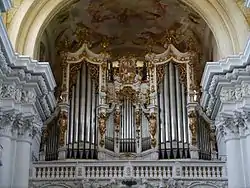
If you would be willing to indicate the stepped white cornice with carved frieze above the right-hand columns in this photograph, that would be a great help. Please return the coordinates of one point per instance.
(227, 72)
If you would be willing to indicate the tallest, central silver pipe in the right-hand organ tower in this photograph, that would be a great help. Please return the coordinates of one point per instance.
(172, 101)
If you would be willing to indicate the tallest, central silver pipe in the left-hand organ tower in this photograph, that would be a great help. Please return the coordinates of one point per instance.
(83, 102)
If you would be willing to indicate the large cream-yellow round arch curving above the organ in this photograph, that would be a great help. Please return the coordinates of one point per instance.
(224, 19)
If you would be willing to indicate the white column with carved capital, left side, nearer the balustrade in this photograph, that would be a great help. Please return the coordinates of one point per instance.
(26, 129)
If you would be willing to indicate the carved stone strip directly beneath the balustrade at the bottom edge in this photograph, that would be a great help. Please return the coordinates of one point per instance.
(133, 183)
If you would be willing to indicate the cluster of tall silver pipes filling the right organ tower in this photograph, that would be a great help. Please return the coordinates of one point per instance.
(173, 114)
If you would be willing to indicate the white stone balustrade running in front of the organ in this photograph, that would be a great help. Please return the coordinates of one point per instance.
(128, 169)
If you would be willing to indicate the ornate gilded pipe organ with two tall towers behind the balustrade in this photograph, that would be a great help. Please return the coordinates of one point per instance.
(128, 108)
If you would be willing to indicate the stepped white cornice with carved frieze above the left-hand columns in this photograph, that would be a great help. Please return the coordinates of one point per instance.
(25, 84)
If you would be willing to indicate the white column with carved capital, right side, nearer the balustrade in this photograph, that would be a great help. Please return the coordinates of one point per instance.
(235, 167)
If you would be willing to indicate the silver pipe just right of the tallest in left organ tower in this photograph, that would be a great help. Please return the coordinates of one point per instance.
(88, 107)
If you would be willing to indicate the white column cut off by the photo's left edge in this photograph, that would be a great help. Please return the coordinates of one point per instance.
(5, 150)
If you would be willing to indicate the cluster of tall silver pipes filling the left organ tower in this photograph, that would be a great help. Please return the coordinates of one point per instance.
(82, 126)
